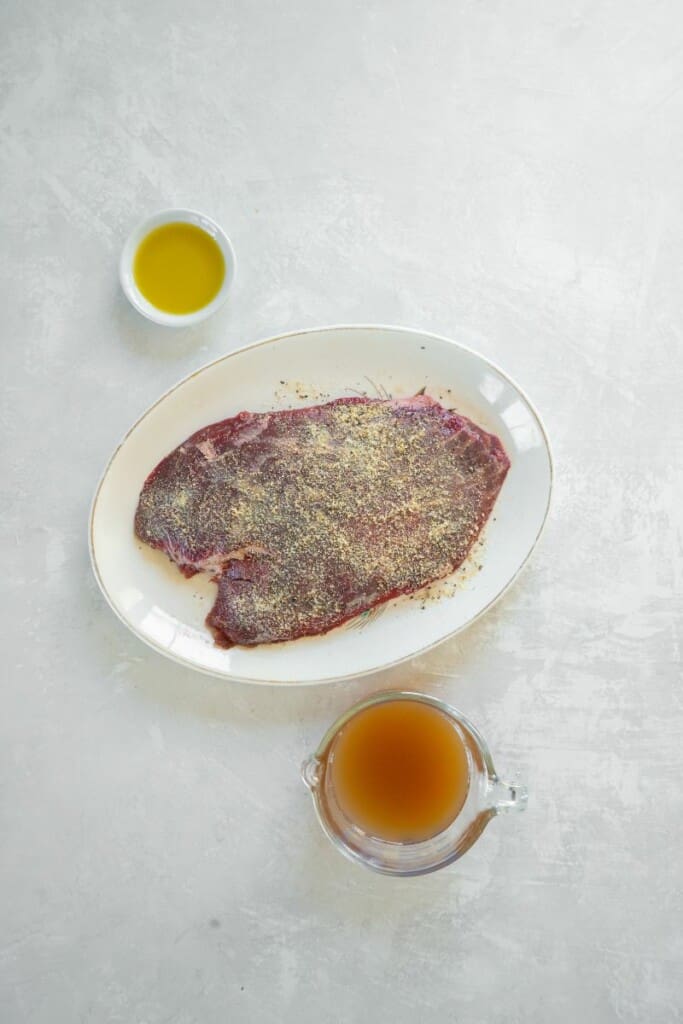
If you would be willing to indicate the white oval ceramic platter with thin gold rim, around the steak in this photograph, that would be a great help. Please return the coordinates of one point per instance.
(295, 370)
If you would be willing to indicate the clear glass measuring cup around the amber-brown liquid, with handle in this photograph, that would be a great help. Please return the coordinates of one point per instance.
(487, 796)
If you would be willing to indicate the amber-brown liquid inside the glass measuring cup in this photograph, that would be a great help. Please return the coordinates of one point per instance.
(400, 771)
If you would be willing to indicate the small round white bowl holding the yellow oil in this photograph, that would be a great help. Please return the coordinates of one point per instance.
(134, 293)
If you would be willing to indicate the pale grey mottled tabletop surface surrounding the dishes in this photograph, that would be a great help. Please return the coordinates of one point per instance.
(506, 174)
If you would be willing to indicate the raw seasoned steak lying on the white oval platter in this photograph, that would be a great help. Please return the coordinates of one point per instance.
(308, 518)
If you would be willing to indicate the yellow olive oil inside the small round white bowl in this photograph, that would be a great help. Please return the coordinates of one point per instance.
(179, 269)
